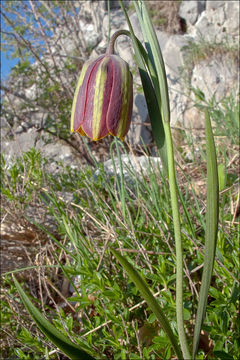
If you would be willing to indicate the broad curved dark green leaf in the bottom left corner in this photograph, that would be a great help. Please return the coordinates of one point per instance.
(53, 334)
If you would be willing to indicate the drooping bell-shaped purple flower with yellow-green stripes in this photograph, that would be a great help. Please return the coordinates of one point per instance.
(103, 98)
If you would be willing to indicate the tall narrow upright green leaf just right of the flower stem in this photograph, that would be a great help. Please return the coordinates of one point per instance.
(211, 229)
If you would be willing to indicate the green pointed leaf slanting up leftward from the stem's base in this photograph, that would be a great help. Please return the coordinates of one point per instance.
(150, 299)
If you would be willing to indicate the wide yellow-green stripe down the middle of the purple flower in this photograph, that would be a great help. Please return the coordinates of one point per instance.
(98, 98)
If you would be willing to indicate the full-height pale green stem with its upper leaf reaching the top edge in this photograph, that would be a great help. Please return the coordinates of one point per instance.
(155, 54)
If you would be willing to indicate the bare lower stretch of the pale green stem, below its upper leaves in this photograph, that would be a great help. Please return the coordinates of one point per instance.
(178, 243)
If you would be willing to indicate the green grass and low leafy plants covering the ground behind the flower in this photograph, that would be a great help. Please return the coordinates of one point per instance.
(85, 292)
